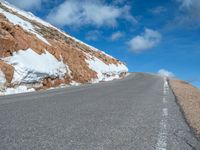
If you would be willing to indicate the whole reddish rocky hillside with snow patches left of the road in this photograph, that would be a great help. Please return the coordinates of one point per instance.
(37, 55)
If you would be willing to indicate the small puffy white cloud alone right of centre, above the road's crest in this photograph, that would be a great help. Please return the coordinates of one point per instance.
(147, 40)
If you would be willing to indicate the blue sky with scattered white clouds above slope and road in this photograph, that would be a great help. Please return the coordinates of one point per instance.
(148, 35)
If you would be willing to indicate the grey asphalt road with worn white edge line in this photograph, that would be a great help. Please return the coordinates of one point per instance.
(135, 113)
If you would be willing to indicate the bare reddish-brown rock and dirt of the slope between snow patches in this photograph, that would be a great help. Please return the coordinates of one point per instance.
(14, 38)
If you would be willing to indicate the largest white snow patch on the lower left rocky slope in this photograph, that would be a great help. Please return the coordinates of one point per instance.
(31, 67)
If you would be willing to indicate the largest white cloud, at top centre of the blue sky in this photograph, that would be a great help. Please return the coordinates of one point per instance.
(86, 12)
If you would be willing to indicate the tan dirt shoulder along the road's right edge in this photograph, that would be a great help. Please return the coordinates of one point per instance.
(189, 99)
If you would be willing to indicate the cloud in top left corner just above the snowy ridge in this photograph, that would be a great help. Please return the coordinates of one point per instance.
(27, 4)
